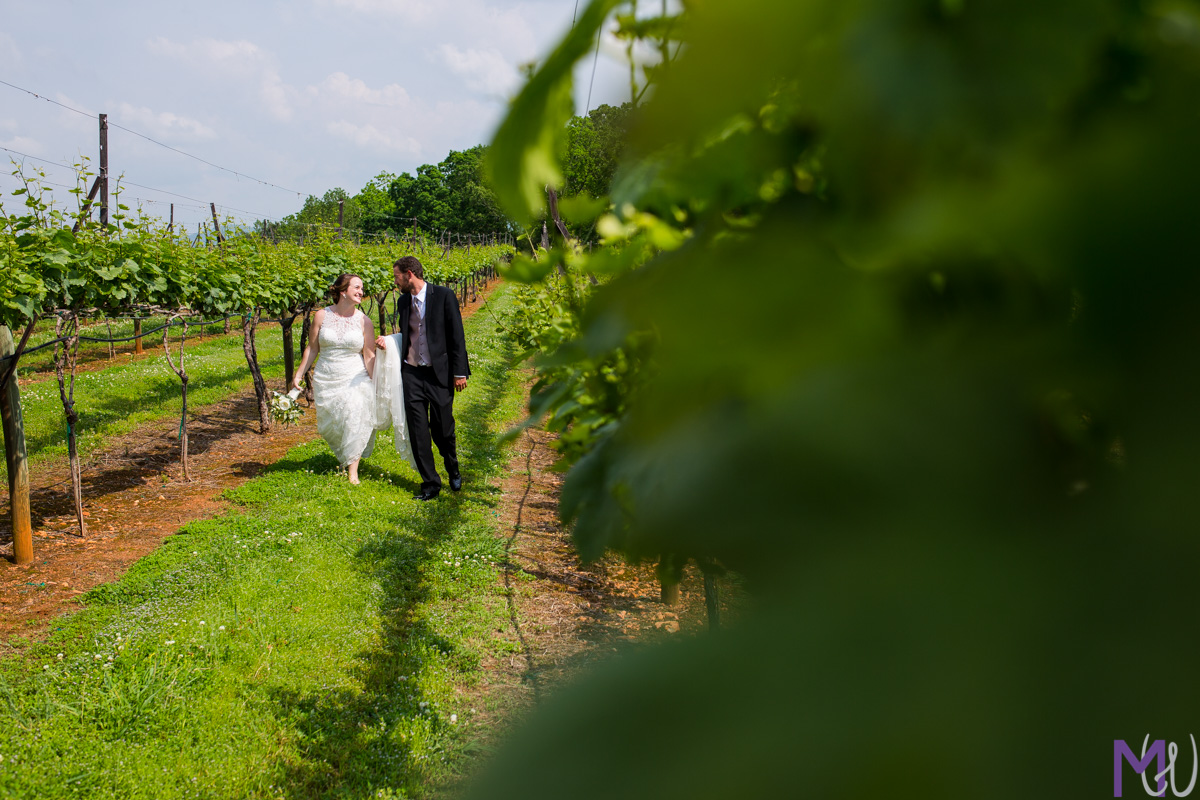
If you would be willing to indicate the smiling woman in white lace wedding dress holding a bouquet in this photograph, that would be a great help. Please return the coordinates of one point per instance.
(343, 384)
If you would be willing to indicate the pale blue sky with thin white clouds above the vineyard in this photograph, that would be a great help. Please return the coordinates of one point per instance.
(305, 95)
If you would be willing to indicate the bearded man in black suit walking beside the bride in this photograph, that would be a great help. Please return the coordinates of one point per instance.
(434, 363)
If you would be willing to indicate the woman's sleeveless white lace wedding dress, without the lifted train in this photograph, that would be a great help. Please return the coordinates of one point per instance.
(343, 390)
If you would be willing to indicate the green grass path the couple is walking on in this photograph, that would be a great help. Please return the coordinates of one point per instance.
(322, 641)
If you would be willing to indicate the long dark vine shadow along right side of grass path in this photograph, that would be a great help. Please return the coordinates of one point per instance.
(352, 742)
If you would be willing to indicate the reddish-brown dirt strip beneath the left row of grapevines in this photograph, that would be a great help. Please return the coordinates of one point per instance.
(134, 498)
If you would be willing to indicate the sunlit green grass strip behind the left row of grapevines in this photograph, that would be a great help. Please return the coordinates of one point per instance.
(119, 399)
